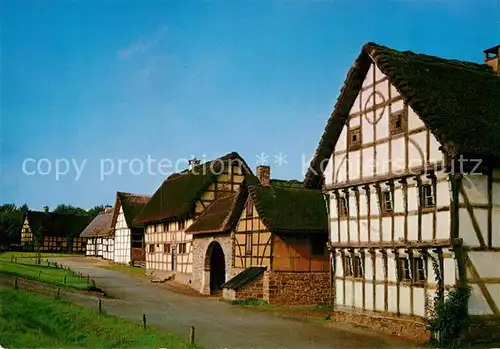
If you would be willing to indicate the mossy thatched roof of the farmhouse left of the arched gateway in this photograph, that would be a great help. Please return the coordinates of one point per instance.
(178, 194)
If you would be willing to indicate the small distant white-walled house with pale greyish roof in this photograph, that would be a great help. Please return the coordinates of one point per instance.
(97, 234)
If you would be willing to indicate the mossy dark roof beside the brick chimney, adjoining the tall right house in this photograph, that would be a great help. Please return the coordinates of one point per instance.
(289, 207)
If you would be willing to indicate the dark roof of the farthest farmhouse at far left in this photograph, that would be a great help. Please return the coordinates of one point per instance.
(56, 224)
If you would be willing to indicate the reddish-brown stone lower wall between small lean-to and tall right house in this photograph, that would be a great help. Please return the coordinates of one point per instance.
(297, 288)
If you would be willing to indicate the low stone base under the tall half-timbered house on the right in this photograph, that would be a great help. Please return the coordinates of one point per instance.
(412, 329)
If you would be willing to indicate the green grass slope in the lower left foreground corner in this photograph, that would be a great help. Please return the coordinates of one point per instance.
(28, 320)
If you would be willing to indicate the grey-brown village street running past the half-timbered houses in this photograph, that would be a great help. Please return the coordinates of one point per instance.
(218, 324)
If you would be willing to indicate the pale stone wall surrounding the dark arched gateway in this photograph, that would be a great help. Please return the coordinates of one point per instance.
(201, 275)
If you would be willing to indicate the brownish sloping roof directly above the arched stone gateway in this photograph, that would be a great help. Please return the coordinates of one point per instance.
(221, 216)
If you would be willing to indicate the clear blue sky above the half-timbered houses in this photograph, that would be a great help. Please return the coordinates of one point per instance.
(92, 81)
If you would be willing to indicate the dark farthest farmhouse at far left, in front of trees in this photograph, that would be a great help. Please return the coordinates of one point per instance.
(53, 232)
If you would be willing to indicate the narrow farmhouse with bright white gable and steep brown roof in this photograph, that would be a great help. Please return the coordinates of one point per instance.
(127, 237)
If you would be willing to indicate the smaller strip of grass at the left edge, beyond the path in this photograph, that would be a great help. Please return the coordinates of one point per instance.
(26, 267)
